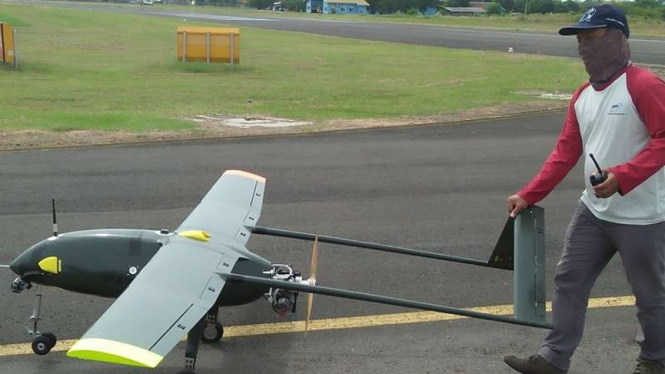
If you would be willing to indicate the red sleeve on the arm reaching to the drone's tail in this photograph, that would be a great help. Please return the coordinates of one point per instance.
(563, 158)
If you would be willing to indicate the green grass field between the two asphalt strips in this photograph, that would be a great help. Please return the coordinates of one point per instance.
(107, 71)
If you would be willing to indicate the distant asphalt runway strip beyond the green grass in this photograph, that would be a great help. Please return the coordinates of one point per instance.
(645, 50)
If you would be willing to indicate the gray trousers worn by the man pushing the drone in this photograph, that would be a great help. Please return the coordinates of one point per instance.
(590, 243)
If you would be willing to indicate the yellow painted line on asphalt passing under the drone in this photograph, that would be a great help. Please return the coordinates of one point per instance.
(342, 323)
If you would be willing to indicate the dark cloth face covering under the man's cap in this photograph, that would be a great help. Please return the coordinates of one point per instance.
(605, 56)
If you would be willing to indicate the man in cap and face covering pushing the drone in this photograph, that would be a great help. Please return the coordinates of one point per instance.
(619, 117)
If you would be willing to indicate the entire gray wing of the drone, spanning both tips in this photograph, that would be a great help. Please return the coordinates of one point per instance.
(181, 282)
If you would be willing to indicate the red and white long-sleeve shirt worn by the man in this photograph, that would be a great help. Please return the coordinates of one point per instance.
(623, 124)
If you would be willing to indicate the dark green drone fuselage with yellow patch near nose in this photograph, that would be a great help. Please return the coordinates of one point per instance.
(105, 262)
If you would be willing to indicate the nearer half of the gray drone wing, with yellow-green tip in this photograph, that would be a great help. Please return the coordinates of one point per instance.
(166, 300)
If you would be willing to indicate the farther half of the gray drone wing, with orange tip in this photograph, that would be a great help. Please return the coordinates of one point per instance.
(233, 204)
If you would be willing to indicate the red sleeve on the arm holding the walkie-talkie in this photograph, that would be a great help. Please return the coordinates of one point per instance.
(648, 94)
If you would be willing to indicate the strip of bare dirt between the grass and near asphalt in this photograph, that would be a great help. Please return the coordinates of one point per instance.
(32, 139)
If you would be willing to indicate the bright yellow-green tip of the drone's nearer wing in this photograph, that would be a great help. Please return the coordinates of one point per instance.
(114, 352)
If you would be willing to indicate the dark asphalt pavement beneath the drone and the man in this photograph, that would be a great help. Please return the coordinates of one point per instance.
(438, 187)
